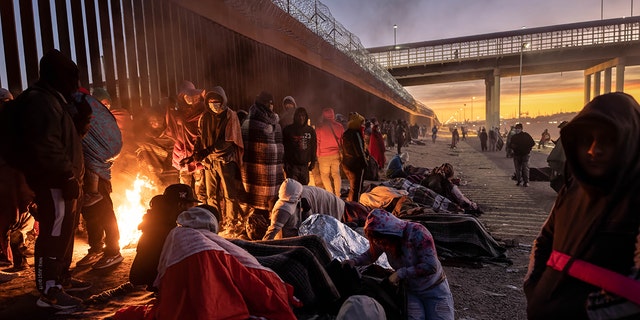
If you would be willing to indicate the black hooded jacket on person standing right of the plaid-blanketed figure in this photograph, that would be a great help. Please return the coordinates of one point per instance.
(300, 141)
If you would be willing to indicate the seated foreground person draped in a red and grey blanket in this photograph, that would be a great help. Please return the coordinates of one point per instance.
(204, 276)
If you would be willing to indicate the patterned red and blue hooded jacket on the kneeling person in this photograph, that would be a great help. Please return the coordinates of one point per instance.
(417, 262)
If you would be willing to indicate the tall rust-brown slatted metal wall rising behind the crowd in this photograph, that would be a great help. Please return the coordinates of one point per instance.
(142, 50)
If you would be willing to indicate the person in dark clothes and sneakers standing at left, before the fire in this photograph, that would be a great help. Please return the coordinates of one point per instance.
(52, 162)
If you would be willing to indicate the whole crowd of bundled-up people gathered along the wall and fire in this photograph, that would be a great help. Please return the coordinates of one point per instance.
(234, 176)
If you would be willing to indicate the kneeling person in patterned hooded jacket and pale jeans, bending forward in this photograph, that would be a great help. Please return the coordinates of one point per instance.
(411, 252)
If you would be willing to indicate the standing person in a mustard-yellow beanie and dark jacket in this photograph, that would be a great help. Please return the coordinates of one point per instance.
(354, 157)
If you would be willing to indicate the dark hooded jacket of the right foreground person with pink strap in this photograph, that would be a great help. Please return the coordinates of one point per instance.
(594, 221)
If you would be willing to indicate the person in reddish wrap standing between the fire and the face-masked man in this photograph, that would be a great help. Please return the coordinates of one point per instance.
(182, 128)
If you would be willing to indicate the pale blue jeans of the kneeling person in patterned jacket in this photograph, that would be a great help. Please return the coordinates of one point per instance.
(433, 304)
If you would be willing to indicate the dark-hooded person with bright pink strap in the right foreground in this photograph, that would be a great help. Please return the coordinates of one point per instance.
(594, 222)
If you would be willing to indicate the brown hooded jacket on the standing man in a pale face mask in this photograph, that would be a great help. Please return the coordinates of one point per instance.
(220, 136)
